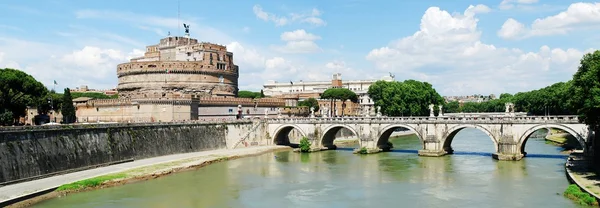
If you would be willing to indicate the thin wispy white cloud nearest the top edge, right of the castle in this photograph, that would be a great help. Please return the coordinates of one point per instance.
(312, 17)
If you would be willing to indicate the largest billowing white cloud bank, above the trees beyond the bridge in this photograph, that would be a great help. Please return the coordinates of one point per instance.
(447, 51)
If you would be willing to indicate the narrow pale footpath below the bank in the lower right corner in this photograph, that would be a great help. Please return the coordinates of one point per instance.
(580, 172)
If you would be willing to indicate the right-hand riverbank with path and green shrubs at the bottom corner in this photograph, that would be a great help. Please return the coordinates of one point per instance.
(580, 173)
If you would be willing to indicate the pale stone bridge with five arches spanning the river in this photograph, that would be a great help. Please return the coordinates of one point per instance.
(509, 134)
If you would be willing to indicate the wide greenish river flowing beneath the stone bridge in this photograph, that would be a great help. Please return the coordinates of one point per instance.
(468, 178)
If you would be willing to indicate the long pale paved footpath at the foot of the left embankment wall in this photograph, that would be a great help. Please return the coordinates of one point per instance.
(149, 166)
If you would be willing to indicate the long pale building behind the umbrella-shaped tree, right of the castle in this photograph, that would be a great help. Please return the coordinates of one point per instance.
(314, 89)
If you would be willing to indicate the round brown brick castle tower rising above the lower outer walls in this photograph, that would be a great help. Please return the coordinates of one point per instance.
(179, 66)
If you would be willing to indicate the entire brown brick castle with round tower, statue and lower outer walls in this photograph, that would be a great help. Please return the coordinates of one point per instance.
(178, 79)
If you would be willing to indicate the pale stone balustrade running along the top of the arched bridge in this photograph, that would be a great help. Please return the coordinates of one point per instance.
(433, 120)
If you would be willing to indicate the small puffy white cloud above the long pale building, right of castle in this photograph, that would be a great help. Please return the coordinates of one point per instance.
(298, 41)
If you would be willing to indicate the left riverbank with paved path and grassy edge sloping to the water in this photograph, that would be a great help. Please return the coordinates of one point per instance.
(140, 170)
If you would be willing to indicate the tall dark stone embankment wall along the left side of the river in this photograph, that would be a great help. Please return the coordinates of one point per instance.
(37, 151)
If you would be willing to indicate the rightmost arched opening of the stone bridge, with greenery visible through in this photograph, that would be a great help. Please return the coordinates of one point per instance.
(550, 139)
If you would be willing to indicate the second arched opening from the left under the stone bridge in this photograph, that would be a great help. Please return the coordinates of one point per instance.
(339, 136)
